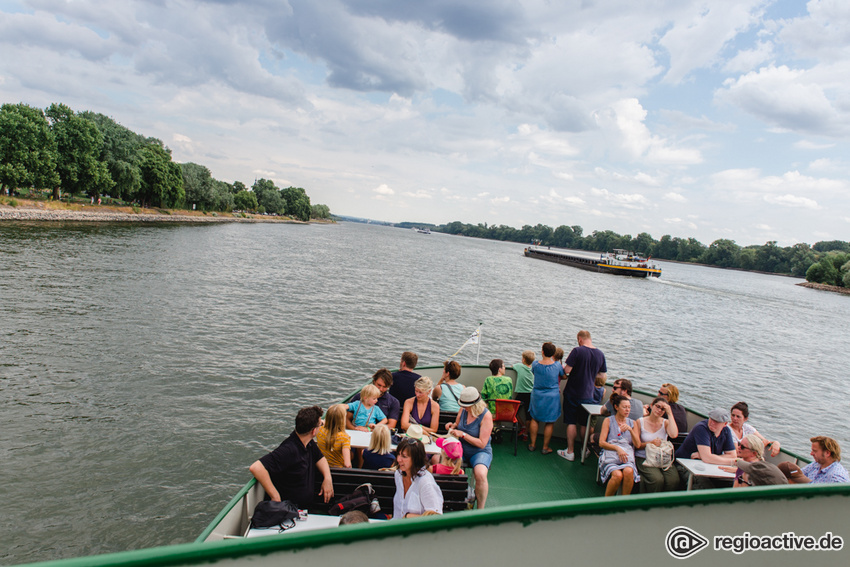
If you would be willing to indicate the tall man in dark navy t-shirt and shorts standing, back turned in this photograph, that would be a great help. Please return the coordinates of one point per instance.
(583, 364)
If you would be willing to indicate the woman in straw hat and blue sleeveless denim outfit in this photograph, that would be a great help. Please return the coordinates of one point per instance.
(473, 427)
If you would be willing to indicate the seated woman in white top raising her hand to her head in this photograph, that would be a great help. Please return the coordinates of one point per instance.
(658, 426)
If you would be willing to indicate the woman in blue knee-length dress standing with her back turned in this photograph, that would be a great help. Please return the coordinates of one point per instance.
(545, 405)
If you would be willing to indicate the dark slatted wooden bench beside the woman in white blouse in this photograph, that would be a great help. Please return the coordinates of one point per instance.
(455, 488)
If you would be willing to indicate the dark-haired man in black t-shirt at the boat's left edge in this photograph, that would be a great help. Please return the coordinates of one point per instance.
(289, 472)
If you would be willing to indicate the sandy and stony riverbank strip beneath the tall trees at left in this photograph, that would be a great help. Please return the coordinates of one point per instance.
(49, 211)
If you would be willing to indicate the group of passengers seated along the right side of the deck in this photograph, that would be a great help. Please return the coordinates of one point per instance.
(724, 439)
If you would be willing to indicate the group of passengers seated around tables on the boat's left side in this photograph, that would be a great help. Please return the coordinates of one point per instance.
(402, 400)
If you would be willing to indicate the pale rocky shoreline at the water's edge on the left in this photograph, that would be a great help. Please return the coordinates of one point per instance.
(8, 213)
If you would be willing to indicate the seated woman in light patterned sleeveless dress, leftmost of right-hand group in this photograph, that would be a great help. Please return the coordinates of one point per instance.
(618, 438)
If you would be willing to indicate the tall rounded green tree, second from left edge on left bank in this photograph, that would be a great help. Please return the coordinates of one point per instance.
(78, 144)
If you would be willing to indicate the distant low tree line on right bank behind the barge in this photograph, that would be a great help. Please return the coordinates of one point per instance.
(826, 262)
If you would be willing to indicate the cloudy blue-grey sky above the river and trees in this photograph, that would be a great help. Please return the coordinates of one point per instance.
(706, 119)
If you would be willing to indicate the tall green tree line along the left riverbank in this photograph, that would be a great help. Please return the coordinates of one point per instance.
(89, 154)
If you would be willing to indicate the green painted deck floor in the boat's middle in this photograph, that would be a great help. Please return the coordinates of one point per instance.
(533, 477)
